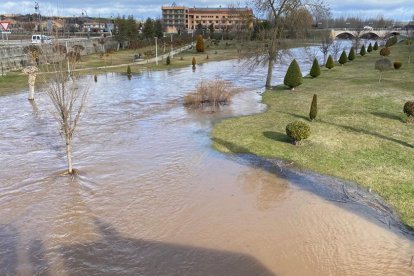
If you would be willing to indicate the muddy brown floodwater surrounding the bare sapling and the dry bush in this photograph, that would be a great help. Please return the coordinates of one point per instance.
(153, 197)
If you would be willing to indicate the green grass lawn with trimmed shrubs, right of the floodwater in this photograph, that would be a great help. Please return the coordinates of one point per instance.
(360, 133)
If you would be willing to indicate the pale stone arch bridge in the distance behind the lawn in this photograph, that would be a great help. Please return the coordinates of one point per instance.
(365, 33)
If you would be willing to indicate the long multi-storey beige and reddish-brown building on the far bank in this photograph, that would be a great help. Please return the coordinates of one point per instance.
(177, 18)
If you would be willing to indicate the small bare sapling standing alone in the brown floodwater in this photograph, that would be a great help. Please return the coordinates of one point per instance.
(67, 96)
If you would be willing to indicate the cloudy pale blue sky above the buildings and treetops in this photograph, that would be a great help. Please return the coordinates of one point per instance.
(395, 9)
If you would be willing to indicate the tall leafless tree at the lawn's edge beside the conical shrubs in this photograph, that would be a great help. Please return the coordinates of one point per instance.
(279, 12)
